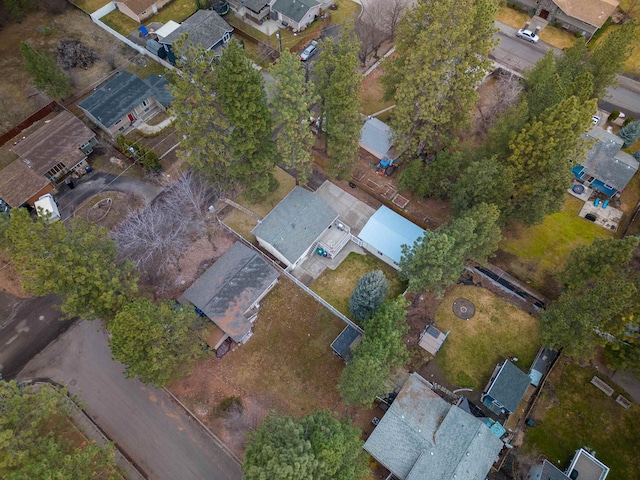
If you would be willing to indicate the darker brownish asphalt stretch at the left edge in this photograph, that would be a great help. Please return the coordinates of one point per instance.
(27, 326)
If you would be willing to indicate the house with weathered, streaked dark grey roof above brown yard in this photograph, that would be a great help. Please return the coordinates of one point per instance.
(229, 292)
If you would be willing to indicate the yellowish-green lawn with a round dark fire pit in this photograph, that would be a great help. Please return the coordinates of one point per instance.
(475, 346)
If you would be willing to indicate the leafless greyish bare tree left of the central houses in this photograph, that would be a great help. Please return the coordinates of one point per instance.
(156, 237)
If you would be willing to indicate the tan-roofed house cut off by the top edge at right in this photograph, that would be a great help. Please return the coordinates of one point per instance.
(581, 16)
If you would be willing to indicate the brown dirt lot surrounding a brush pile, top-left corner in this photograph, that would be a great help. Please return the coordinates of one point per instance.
(43, 32)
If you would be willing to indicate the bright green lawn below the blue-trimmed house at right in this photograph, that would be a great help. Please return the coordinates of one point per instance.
(535, 254)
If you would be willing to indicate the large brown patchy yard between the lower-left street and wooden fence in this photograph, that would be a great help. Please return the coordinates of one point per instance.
(287, 366)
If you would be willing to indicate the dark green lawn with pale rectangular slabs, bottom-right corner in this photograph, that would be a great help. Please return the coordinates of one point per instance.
(571, 413)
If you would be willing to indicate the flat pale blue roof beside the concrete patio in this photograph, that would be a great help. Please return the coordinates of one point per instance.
(387, 231)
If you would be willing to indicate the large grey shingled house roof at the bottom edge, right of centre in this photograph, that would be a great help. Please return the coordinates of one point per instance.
(422, 437)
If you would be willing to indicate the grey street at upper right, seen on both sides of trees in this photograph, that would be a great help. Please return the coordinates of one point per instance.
(519, 55)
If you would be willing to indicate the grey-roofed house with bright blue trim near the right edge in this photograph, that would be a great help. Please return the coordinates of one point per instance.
(606, 168)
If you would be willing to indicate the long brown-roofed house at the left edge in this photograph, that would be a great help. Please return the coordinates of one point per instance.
(45, 155)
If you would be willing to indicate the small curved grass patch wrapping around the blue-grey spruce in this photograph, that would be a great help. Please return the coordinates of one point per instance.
(336, 286)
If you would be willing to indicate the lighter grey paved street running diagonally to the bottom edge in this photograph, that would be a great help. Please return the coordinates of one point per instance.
(162, 440)
